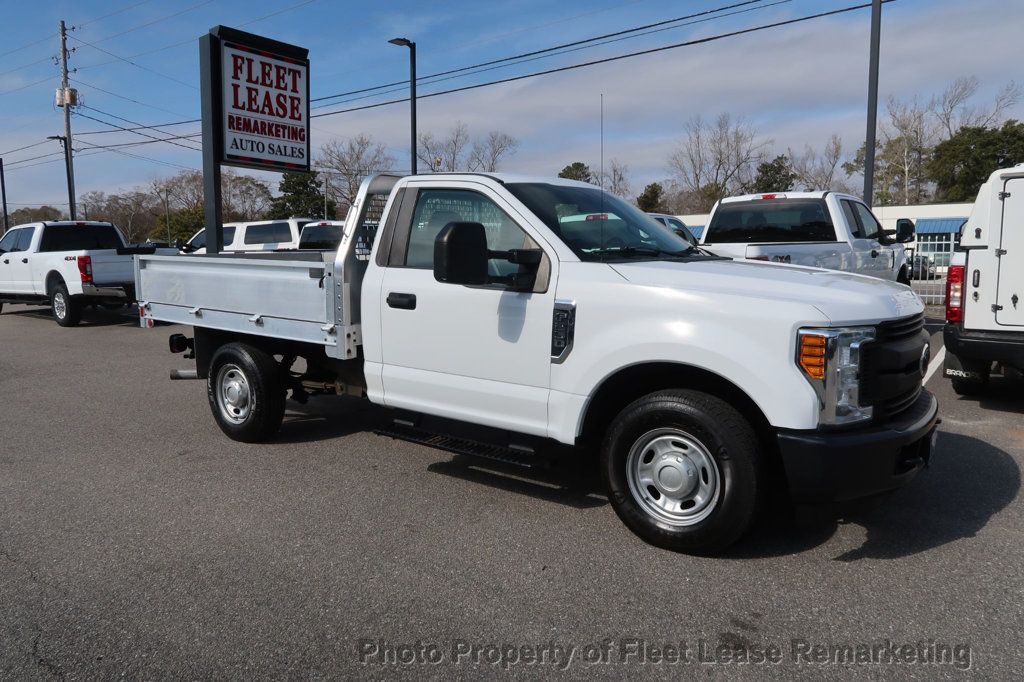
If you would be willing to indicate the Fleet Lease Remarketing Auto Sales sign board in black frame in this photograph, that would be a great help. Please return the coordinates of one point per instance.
(265, 103)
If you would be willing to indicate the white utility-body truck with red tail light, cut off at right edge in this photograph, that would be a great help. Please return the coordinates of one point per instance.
(986, 286)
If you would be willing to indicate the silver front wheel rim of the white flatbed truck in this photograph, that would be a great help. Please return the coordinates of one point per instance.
(673, 478)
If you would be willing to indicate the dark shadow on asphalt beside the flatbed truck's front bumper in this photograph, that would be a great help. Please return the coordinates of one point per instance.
(968, 484)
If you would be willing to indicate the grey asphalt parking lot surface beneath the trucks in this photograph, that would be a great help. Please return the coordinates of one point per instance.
(138, 542)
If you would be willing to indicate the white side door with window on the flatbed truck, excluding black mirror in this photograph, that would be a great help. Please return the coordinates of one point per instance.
(481, 355)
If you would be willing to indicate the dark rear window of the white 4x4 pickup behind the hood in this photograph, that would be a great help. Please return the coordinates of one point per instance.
(772, 221)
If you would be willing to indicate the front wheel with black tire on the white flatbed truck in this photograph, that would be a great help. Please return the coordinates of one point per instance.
(709, 423)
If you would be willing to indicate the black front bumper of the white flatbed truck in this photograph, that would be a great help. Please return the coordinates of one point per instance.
(836, 466)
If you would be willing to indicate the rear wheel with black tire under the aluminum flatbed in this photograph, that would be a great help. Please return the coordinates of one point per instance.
(260, 408)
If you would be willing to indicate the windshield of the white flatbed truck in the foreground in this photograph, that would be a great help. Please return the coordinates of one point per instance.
(599, 226)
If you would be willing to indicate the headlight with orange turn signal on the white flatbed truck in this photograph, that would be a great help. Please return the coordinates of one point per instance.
(830, 360)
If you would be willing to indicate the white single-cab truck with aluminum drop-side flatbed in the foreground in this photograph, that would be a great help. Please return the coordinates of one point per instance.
(496, 315)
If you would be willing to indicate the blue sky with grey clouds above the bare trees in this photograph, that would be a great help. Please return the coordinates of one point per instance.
(796, 86)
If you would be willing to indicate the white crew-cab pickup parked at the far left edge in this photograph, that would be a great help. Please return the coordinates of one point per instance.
(68, 266)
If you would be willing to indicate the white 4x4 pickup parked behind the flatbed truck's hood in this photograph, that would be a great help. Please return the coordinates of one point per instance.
(819, 229)
